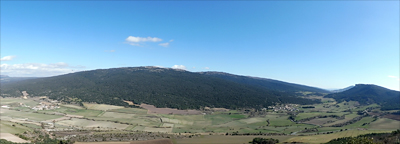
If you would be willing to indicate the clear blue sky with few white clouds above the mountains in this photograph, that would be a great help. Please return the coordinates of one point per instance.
(325, 44)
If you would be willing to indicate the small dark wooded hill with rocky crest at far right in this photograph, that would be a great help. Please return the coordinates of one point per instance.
(368, 94)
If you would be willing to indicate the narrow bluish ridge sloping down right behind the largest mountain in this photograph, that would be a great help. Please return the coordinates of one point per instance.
(269, 84)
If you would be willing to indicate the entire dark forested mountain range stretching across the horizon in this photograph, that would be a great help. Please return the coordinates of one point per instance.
(174, 88)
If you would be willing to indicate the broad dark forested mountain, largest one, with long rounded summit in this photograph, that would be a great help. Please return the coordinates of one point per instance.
(162, 87)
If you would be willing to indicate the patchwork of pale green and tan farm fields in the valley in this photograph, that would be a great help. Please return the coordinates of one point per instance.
(212, 126)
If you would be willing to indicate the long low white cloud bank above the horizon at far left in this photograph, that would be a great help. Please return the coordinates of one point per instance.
(38, 69)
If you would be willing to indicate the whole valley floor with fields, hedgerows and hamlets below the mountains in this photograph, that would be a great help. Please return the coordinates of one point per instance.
(288, 123)
